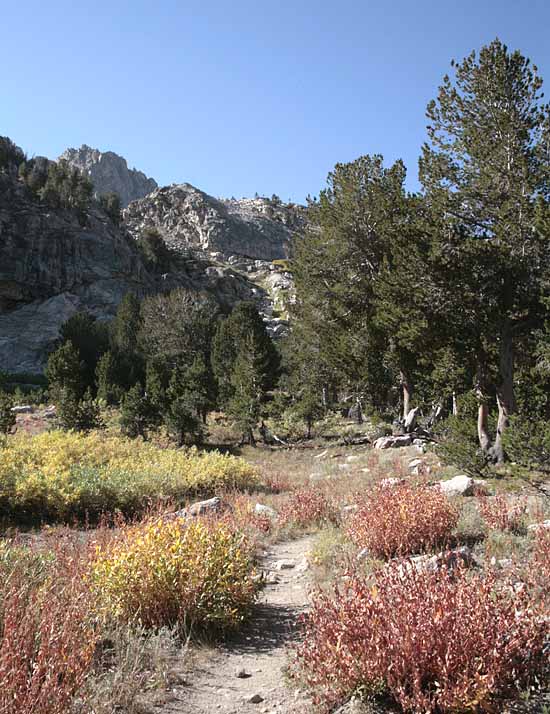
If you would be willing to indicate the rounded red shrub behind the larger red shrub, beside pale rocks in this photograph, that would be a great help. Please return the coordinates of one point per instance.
(402, 519)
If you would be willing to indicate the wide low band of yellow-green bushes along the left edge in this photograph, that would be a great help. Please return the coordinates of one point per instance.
(61, 475)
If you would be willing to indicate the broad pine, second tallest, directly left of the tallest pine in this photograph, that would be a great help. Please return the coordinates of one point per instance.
(336, 268)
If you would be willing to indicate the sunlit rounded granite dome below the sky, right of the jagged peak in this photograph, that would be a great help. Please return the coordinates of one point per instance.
(189, 219)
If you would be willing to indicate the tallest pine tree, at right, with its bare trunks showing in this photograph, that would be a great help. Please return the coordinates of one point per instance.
(485, 169)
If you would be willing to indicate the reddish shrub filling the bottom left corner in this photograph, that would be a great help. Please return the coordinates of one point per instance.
(47, 638)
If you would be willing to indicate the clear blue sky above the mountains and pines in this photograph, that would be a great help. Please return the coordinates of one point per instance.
(237, 97)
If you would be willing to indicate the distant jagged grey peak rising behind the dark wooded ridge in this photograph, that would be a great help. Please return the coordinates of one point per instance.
(109, 172)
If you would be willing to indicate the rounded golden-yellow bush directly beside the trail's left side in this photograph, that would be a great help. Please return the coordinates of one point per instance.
(166, 572)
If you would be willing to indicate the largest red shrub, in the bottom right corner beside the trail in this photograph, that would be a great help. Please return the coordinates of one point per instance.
(433, 641)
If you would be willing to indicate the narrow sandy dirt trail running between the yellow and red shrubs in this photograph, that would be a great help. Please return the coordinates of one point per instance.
(259, 649)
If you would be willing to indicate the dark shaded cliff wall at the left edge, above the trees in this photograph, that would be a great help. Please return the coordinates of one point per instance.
(51, 267)
